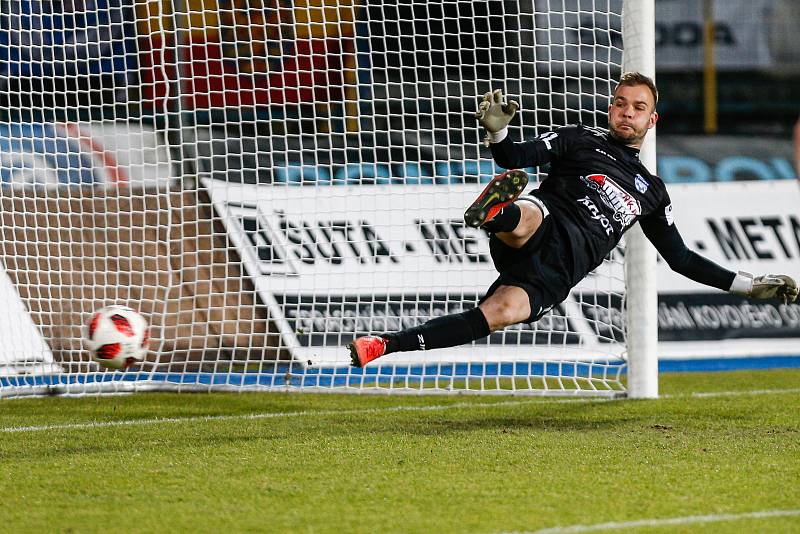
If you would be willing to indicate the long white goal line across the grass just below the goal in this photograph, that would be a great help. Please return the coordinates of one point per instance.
(323, 413)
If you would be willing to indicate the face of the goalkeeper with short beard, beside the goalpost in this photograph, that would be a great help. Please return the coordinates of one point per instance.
(631, 113)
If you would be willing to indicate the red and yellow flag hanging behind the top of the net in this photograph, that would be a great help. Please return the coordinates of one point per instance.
(251, 52)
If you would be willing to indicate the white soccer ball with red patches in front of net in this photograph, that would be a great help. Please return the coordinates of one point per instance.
(117, 337)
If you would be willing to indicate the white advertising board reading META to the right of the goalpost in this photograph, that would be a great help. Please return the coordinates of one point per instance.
(749, 226)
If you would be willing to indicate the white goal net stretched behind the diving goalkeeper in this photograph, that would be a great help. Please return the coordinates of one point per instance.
(266, 180)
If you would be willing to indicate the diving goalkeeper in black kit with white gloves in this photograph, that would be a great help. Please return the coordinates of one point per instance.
(546, 242)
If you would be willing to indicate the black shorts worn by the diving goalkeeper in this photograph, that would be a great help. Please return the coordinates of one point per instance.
(545, 267)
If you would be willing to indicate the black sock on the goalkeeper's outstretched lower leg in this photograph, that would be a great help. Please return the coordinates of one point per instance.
(445, 331)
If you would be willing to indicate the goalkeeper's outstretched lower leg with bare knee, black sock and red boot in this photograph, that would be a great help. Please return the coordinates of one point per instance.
(506, 306)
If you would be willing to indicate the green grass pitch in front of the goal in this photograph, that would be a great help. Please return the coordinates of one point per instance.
(715, 444)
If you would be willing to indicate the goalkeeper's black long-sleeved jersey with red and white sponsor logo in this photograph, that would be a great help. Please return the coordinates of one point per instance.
(599, 188)
